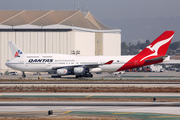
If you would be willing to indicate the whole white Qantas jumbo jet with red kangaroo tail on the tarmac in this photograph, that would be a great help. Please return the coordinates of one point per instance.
(83, 66)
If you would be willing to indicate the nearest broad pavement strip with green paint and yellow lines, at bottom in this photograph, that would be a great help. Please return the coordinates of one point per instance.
(142, 110)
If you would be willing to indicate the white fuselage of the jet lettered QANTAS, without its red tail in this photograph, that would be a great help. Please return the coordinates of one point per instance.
(45, 62)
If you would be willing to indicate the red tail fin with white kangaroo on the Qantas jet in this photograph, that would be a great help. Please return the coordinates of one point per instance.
(153, 53)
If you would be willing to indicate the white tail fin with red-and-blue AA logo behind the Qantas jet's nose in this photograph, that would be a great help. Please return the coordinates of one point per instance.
(16, 51)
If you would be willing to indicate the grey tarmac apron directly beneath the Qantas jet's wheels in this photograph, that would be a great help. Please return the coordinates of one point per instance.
(166, 75)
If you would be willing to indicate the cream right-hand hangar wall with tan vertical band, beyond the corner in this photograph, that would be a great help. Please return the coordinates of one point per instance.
(91, 43)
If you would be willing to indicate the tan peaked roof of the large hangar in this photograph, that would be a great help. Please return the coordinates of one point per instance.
(48, 19)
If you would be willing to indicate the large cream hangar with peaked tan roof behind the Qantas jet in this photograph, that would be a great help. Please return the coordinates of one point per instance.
(56, 32)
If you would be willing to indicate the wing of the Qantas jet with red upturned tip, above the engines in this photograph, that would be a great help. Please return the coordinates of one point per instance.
(85, 66)
